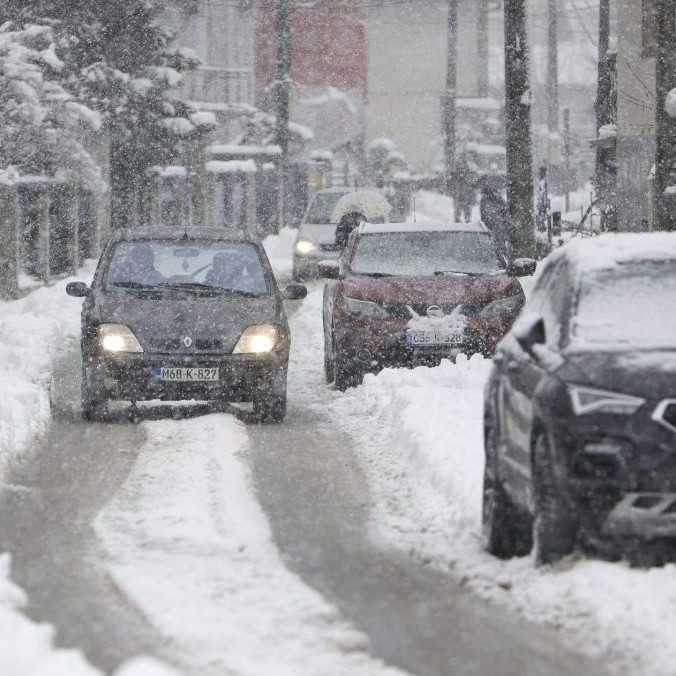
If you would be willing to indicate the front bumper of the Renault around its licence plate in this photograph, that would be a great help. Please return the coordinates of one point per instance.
(130, 376)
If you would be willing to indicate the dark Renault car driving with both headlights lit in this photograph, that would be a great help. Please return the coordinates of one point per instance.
(184, 314)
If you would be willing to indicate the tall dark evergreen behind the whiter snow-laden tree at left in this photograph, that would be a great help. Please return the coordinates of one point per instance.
(118, 59)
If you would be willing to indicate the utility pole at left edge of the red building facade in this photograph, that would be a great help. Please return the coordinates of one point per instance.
(282, 106)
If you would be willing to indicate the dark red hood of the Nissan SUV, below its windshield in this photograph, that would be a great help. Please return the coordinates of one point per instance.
(442, 290)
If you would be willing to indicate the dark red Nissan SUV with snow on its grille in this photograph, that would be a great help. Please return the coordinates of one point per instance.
(408, 294)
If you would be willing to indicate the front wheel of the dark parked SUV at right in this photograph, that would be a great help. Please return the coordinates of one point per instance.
(554, 529)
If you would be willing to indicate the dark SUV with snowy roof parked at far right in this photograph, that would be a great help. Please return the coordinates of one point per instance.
(580, 408)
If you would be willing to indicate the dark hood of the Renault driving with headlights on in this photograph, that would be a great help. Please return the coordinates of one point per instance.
(154, 320)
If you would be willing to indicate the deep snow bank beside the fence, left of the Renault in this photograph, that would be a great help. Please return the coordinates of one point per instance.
(32, 331)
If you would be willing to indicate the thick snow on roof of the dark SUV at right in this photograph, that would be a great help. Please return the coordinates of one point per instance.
(606, 251)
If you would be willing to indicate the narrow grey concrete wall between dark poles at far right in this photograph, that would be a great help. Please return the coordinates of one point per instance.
(636, 118)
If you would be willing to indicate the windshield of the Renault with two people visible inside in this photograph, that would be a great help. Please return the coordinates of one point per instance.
(209, 266)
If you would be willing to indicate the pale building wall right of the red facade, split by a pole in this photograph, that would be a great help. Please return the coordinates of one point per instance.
(407, 72)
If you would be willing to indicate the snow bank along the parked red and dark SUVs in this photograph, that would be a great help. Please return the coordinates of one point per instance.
(419, 436)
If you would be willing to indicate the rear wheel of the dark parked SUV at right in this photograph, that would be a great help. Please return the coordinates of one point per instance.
(504, 532)
